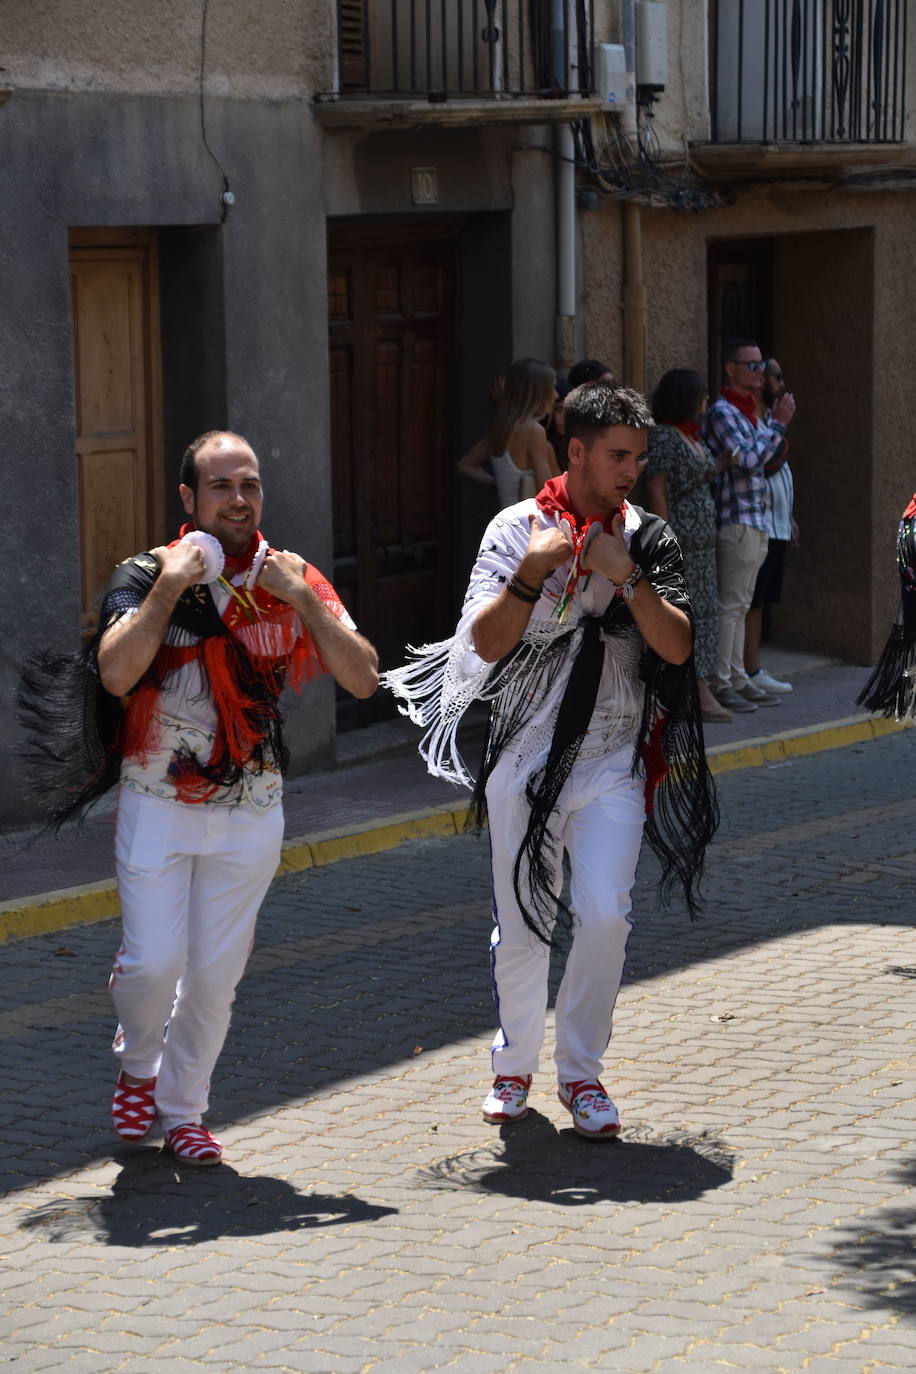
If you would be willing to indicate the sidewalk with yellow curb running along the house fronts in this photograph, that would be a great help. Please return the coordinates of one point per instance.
(370, 804)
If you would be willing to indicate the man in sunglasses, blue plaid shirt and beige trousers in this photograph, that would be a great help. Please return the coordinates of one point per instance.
(742, 443)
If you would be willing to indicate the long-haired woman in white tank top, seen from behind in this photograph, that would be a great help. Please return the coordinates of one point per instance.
(517, 444)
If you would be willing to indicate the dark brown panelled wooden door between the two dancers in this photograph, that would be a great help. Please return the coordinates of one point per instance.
(392, 324)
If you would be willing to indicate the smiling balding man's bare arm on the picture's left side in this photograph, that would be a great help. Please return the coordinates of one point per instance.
(130, 646)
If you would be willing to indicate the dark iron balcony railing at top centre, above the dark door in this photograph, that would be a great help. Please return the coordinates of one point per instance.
(440, 50)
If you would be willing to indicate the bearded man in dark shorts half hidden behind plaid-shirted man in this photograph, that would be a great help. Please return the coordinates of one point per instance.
(782, 531)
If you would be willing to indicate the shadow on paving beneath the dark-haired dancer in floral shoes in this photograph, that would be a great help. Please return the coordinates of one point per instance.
(542, 1164)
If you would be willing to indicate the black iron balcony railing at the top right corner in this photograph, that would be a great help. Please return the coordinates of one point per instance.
(811, 71)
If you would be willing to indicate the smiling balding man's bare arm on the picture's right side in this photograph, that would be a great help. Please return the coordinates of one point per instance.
(348, 656)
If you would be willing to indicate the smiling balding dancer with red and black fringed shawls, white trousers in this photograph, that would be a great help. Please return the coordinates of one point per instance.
(178, 700)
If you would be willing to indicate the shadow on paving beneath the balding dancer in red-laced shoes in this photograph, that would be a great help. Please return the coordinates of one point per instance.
(156, 1202)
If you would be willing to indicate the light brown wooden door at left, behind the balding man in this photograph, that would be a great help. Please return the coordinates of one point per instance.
(115, 315)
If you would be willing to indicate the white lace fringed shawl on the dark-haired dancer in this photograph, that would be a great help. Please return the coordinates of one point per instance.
(440, 682)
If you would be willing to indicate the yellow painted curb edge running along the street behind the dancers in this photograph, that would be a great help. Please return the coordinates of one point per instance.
(50, 912)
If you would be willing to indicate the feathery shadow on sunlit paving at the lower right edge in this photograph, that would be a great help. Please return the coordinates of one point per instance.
(878, 1257)
